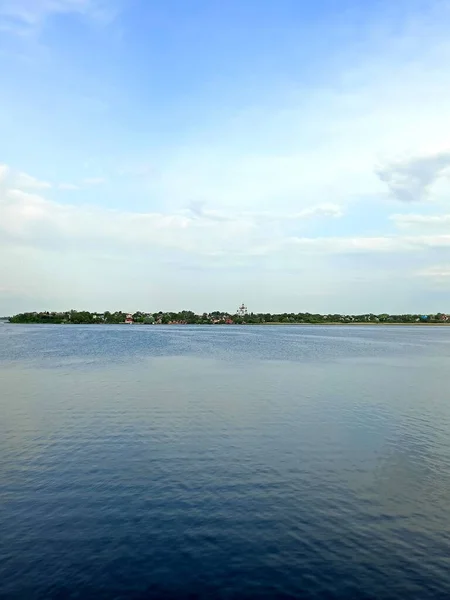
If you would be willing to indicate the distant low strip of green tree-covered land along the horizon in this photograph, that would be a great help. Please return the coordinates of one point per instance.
(241, 317)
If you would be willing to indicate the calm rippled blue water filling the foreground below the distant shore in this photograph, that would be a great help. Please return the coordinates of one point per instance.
(224, 462)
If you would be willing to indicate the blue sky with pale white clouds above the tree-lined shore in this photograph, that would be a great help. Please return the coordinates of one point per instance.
(197, 154)
